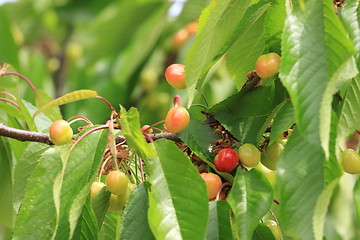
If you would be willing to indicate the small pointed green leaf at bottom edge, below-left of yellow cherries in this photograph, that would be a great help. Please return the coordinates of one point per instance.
(87, 225)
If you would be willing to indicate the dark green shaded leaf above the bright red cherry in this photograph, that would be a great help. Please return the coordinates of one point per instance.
(247, 113)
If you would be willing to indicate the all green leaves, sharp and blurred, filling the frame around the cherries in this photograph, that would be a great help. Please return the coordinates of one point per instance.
(120, 49)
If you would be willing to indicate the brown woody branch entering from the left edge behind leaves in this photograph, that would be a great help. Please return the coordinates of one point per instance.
(24, 135)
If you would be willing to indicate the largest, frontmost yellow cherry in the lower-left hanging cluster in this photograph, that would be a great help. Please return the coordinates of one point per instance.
(117, 182)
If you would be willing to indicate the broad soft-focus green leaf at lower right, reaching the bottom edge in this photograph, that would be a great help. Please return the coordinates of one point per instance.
(301, 181)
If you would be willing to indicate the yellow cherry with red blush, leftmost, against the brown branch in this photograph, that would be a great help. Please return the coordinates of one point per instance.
(60, 132)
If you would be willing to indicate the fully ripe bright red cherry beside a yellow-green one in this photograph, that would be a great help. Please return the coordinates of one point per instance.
(226, 160)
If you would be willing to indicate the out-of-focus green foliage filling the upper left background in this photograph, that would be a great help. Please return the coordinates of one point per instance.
(118, 48)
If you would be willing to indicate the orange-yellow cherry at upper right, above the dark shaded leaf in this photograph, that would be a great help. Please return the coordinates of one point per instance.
(267, 65)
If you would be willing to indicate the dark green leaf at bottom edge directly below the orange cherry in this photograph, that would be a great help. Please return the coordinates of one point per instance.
(219, 226)
